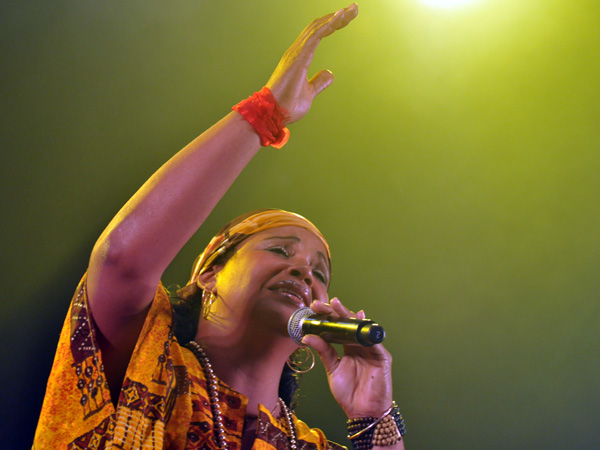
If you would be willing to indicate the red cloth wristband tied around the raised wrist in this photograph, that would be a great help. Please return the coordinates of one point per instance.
(266, 117)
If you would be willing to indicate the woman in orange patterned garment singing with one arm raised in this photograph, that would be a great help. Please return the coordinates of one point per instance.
(210, 366)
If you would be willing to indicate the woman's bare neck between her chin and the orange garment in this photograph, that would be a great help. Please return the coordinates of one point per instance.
(251, 363)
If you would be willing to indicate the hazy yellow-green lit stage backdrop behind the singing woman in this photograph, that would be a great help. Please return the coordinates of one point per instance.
(453, 166)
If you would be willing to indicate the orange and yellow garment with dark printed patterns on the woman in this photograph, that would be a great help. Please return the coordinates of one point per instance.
(163, 402)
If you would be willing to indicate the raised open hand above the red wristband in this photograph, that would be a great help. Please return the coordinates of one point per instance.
(289, 82)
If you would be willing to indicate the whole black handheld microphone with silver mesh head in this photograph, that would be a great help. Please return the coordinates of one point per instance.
(338, 330)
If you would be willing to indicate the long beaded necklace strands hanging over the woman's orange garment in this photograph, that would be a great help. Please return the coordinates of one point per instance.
(211, 385)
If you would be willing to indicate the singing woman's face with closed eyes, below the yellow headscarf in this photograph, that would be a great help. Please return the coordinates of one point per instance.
(271, 275)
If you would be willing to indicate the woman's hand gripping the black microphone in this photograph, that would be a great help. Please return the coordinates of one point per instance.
(361, 379)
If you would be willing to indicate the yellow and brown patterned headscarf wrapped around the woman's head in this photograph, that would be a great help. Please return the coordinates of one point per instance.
(246, 225)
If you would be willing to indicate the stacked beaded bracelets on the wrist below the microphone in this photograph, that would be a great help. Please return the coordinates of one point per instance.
(365, 432)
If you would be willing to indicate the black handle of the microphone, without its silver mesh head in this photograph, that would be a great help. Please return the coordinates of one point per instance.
(343, 330)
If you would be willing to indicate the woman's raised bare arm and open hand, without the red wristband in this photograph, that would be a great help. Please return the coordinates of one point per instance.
(139, 243)
